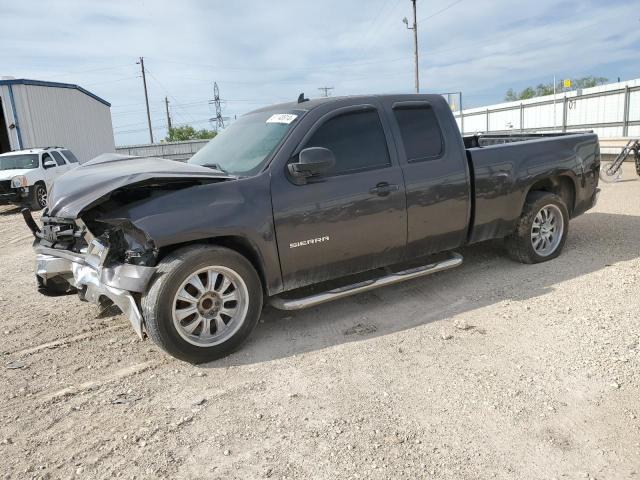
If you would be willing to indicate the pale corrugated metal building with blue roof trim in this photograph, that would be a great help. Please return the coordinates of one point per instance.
(36, 113)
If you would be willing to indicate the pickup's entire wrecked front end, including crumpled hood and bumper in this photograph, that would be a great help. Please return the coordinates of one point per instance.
(88, 241)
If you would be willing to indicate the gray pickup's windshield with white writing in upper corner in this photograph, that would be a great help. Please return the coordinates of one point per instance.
(243, 148)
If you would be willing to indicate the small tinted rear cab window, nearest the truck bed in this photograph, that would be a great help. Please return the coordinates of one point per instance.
(421, 134)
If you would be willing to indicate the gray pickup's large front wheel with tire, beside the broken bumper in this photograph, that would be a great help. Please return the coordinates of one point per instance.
(178, 326)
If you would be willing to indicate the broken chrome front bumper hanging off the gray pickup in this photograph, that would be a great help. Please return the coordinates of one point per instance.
(94, 282)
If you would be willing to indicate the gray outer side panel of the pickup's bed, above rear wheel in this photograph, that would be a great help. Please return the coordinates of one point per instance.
(505, 168)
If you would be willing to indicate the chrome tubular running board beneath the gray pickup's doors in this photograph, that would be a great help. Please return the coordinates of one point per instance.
(454, 260)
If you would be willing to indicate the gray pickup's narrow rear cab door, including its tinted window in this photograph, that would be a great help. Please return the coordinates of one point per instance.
(436, 175)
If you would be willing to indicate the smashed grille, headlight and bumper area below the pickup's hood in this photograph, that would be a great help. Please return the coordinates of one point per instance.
(113, 268)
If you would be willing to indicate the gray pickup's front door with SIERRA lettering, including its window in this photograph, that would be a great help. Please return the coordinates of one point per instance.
(353, 218)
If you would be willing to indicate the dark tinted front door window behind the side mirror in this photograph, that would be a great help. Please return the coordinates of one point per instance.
(356, 139)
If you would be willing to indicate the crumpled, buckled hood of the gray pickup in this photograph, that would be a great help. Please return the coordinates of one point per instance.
(85, 185)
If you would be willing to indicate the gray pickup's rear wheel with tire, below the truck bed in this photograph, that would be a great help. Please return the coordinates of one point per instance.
(520, 244)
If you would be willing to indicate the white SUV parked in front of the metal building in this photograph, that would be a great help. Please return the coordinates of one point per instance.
(27, 175)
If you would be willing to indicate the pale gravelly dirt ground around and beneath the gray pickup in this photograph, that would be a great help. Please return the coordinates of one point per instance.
(492, 370)
